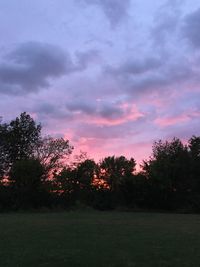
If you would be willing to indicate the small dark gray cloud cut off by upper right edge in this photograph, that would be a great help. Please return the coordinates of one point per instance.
(191, 28)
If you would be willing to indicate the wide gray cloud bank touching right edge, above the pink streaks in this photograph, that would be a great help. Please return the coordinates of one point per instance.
(136, 78)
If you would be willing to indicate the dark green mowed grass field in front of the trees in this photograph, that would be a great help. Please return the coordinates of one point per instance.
(95, 239)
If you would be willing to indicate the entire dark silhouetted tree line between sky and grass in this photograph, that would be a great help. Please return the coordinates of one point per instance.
(35, 172)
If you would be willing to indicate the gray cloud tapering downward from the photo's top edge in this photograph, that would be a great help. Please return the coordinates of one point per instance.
(115, 10)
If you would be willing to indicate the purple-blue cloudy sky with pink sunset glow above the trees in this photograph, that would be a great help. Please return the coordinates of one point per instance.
(111, 76)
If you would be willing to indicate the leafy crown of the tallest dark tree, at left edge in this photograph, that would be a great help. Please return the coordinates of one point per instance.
(17, 141)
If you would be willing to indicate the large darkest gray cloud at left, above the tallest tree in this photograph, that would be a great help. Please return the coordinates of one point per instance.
(31, 65)
